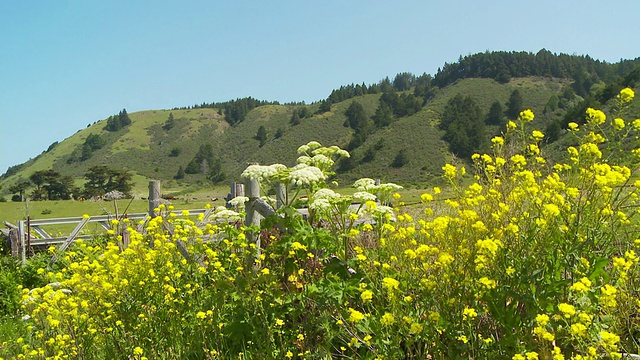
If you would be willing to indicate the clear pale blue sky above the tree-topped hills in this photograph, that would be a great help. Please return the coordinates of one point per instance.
(67, 63)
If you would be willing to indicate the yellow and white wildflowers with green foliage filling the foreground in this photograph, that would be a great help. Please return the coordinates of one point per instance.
(536, 259)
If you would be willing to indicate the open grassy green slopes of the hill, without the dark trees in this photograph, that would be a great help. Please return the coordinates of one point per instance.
(149, 151)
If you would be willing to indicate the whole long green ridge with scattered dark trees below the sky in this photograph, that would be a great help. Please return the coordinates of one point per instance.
(454, 112)
